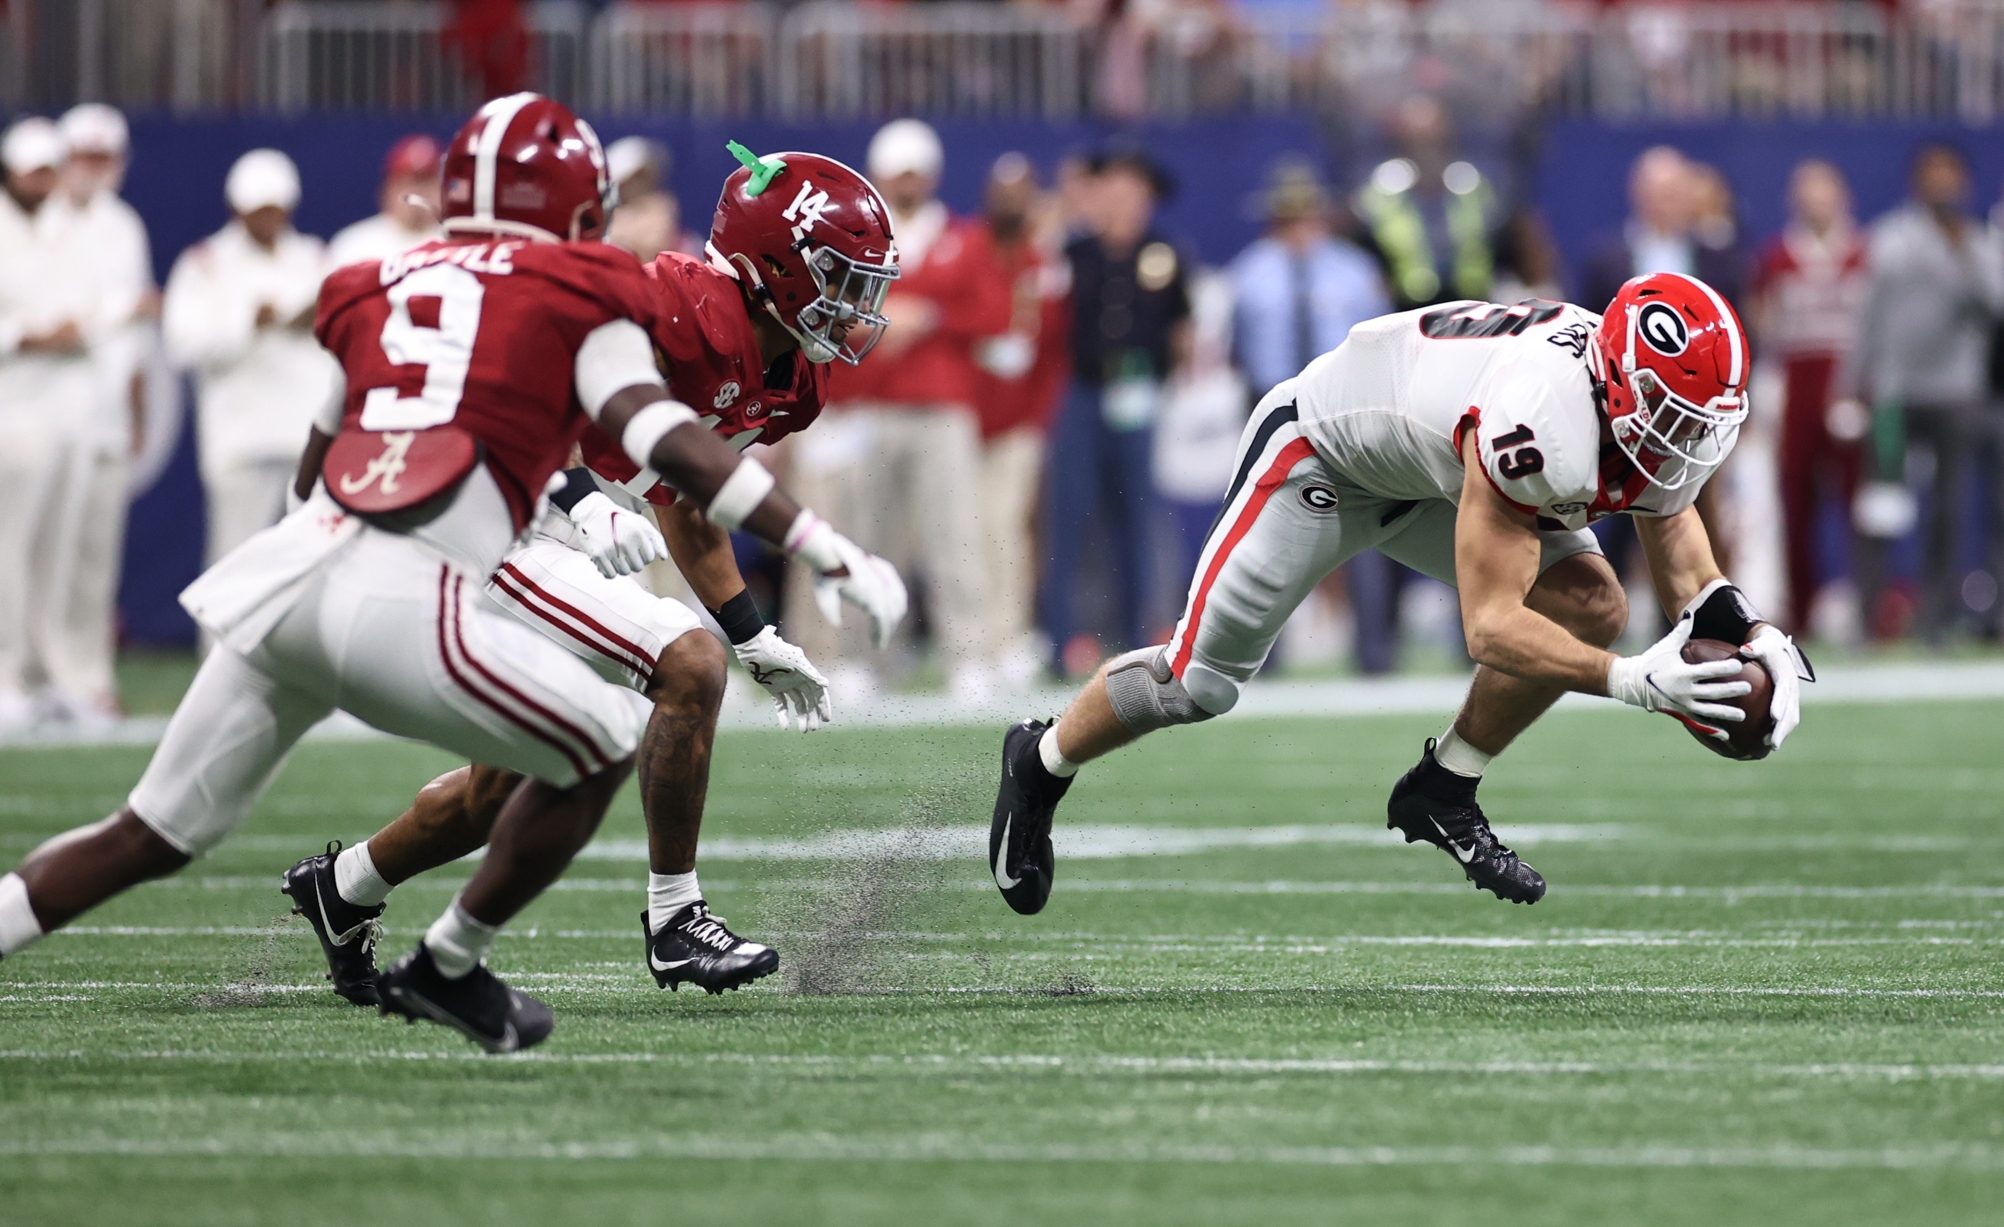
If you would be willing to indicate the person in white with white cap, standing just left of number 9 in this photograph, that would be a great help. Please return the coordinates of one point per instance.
(239, 314)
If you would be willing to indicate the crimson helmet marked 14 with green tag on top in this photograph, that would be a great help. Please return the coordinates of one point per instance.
(813, 242)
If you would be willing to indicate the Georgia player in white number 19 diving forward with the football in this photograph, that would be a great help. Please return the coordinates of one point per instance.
(1474, 444)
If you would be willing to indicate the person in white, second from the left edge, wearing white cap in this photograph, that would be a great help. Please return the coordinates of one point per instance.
(79, 645)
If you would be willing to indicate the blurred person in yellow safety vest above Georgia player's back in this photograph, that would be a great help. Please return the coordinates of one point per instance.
(1430, 218)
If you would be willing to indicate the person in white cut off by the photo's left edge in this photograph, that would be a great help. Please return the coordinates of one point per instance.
(49, 318)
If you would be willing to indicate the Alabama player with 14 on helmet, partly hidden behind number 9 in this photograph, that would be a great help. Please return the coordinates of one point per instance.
(734, 346)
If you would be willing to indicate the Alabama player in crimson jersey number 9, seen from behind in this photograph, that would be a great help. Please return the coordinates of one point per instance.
(474, 366)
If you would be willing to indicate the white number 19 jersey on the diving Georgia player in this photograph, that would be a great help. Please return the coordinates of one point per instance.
(1390, 408)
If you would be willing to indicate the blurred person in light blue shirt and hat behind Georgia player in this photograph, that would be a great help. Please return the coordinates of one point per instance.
(1302, 288)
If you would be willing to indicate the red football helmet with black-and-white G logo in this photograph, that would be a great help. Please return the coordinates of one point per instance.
(1672, 358)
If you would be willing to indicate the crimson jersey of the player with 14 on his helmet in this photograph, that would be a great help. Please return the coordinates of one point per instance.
(714, 366)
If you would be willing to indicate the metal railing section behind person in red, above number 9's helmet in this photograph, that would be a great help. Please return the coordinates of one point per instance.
(360, 55)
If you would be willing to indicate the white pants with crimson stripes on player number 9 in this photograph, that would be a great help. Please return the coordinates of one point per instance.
(400, 639)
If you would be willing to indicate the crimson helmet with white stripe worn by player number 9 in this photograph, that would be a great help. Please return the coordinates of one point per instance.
(526, 165)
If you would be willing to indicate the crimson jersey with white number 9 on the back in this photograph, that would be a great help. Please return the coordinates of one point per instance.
(482, 336)
